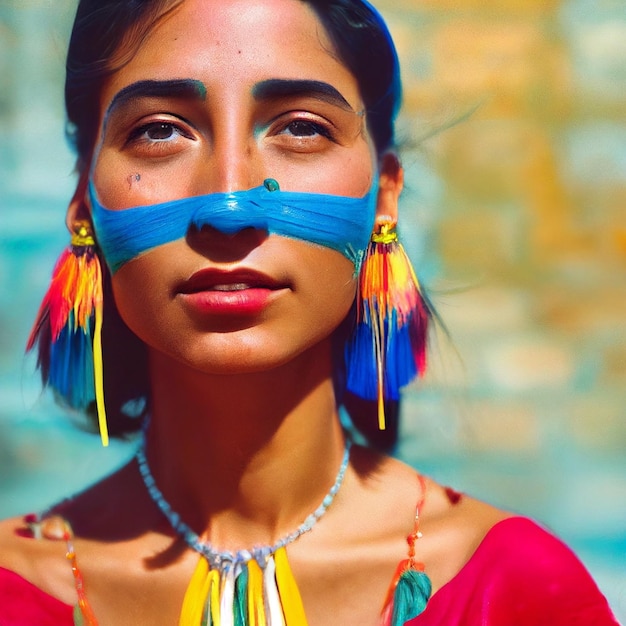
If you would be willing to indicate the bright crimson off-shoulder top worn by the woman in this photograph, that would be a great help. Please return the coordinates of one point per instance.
(520, 575)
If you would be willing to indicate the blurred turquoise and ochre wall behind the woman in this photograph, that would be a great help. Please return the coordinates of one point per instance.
(514, 140)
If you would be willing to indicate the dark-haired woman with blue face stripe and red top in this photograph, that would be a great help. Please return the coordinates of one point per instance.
(196, 123)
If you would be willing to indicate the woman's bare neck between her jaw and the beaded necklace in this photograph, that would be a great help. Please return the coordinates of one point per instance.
(245, 458)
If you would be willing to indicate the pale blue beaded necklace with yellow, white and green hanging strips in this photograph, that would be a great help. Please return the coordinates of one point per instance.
(254, 587)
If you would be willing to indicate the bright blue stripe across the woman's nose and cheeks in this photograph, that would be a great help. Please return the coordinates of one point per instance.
(337, 222)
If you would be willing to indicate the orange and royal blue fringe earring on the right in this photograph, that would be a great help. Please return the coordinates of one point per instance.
(387, 349)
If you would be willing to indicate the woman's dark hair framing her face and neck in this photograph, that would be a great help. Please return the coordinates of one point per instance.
(106, 35)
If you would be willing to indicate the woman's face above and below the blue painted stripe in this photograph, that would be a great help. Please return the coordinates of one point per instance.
(239, 91)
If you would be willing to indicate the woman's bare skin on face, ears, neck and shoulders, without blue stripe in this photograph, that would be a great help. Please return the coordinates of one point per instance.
(244, 437)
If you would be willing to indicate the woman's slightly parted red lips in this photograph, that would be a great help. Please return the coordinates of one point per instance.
(234, 292)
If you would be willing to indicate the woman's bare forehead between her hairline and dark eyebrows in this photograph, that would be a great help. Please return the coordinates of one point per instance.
(231, 45)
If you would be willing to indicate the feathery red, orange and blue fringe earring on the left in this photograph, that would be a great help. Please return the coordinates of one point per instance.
(68, 327)
